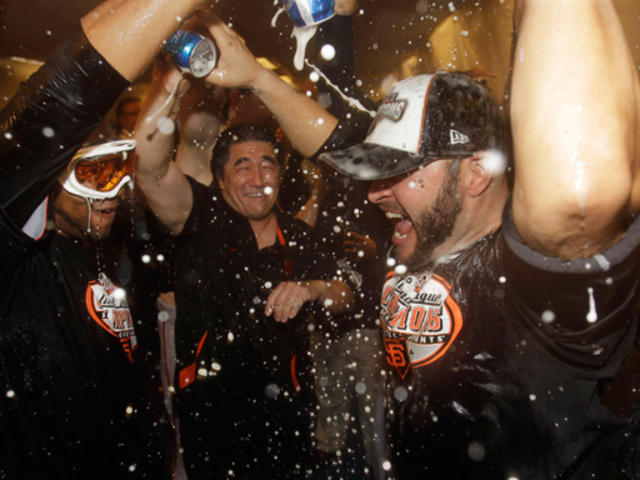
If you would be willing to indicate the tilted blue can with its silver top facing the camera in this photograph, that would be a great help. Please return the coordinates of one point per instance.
(192, 53)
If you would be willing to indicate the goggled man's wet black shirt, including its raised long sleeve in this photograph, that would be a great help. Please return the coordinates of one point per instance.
(73, 402)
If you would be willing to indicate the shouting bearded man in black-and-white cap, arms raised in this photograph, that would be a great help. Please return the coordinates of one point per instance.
(504, 314)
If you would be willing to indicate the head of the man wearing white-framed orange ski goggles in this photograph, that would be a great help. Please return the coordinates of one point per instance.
(91, 185)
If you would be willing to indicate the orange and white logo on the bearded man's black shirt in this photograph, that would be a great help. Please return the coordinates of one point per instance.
(420, 320)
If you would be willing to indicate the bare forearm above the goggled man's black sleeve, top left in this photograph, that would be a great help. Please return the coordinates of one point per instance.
(129, 33)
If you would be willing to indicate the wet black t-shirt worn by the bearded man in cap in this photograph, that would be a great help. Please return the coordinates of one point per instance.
(496, 354)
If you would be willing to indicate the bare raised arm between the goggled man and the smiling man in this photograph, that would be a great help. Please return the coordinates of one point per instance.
(165, 187)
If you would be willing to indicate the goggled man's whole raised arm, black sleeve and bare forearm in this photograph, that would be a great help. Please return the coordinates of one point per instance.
(69, 95)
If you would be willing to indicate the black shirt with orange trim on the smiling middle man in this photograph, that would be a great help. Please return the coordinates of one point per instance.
(244, 389)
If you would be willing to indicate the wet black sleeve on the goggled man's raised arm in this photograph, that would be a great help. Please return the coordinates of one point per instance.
(48, 119)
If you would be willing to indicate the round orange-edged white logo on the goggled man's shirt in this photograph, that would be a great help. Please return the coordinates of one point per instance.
(107, 305)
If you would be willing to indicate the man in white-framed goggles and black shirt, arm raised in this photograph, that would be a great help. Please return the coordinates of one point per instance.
(73, 402)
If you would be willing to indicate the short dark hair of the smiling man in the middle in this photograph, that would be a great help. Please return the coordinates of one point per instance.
(241, 134)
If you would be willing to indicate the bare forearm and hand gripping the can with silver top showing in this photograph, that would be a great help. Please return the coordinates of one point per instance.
(305, 122)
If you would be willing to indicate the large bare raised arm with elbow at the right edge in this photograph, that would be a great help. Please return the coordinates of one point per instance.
(574, 117)
